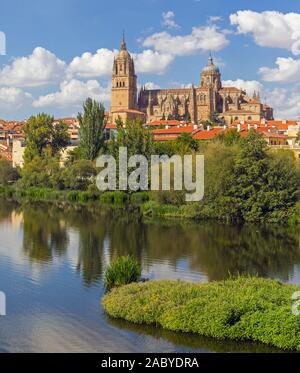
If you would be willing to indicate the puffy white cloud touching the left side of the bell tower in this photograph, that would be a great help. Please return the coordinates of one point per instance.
(91, 65)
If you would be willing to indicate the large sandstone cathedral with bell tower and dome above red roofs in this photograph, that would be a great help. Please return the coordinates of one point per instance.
(209, 100)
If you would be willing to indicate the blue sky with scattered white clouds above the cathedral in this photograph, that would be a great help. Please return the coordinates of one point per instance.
(54, 54)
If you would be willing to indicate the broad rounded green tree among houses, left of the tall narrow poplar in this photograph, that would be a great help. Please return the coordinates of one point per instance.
(41, 133)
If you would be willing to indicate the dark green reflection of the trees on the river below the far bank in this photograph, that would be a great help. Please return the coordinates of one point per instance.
(216, 251)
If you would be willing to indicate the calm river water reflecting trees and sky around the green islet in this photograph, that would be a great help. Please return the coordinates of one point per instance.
(52, 261)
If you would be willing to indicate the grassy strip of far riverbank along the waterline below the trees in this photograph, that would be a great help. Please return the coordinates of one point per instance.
(167, 205)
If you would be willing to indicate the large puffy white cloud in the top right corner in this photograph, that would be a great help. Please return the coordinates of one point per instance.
(270, 28)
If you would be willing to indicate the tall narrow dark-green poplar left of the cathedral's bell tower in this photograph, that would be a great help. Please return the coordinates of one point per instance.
(92, 124)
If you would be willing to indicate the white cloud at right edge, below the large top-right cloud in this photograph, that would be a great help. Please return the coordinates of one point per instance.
(287, 70)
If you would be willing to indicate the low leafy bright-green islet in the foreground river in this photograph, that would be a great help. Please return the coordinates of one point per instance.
(245, 308)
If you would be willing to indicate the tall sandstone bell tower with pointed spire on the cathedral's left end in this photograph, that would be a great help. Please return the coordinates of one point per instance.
(124, 90)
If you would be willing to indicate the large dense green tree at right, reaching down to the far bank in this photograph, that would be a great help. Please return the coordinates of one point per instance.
(264, 184)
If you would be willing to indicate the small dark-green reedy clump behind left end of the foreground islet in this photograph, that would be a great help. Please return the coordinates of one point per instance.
(122, 271)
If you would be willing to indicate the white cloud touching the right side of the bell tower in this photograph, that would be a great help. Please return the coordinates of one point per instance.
(150, 61)
